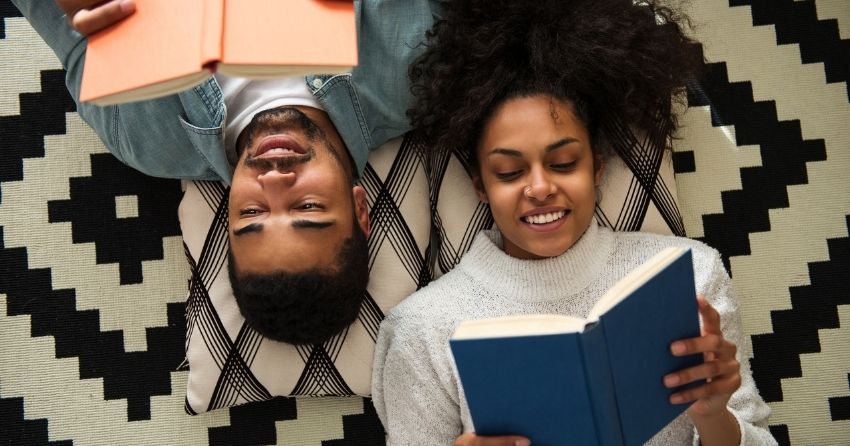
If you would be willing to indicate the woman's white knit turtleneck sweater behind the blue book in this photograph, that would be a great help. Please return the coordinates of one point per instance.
(415, 386)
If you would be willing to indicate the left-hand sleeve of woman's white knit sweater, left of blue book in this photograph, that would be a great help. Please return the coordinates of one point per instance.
(412, 386)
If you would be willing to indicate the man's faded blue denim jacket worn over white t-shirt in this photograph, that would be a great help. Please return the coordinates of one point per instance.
(182, 135)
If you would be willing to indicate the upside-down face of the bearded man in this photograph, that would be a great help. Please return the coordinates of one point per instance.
(291, 200)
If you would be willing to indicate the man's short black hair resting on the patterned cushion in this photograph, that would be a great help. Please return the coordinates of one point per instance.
(307, 307)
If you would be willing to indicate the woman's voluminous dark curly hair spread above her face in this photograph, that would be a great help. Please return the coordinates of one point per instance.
(619, 62)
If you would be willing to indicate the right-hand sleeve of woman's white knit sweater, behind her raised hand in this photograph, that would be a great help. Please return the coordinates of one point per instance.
(746, 405)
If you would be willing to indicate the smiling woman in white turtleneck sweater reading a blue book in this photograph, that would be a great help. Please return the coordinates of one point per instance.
(536, 92)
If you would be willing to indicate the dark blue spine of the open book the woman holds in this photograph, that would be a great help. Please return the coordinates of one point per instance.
(600, 386)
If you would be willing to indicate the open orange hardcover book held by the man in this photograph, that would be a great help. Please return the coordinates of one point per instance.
(168, 46)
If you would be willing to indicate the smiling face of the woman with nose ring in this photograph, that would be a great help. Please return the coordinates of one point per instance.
(538, 174)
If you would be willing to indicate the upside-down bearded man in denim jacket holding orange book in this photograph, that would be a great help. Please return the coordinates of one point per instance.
(291, 152)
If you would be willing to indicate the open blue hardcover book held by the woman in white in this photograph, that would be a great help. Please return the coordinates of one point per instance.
(560, 380)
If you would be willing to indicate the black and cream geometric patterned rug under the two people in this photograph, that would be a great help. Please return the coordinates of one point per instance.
(93, 274)
